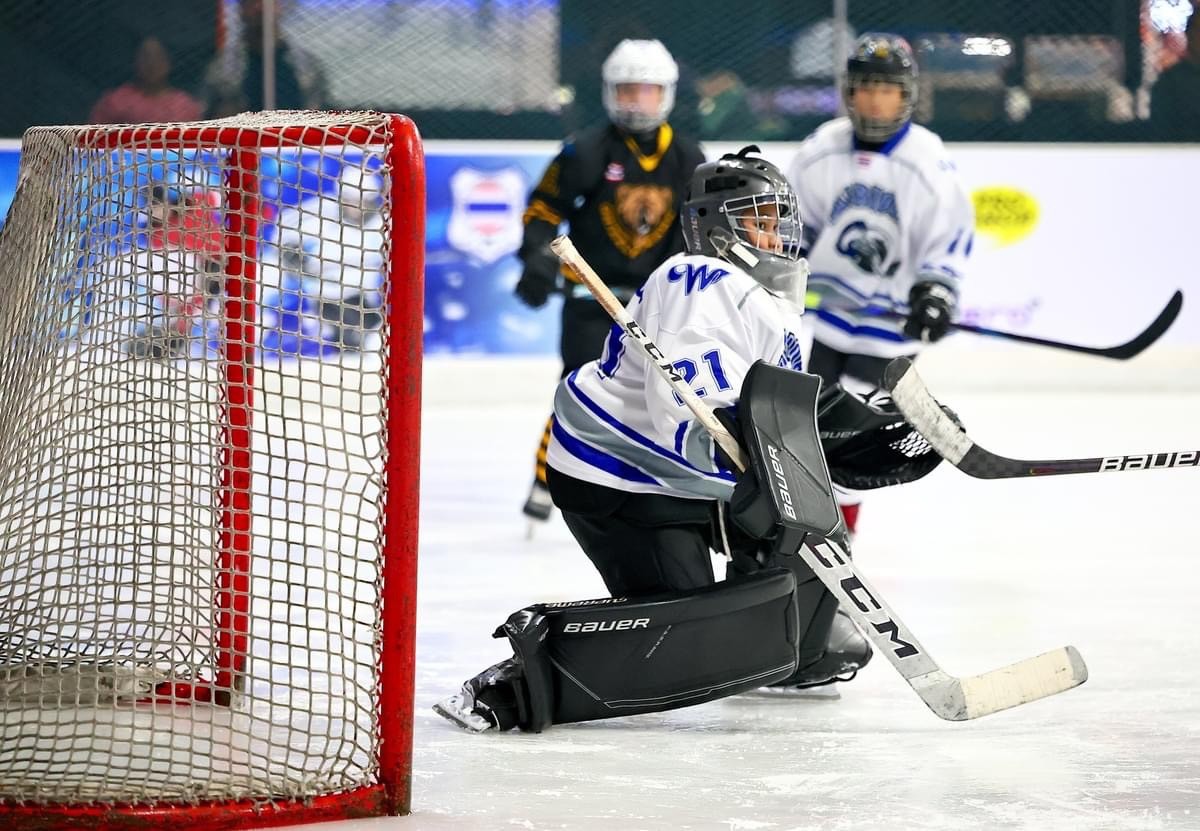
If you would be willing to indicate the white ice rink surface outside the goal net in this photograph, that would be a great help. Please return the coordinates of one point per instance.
(986, 573)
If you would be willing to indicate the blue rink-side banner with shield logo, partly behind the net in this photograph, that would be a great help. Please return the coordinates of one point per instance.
(473, 231)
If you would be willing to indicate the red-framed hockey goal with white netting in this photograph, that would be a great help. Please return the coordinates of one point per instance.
(209, 411)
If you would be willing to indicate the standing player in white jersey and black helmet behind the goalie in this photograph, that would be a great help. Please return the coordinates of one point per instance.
(889, 226)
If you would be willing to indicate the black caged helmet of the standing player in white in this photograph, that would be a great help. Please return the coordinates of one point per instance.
(881, 58)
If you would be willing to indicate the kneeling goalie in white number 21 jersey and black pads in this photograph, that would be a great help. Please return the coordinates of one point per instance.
(643, 488)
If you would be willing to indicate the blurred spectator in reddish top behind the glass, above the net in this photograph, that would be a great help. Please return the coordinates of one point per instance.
(149, 97)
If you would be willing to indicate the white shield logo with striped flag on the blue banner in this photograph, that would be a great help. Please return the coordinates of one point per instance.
(485, 218)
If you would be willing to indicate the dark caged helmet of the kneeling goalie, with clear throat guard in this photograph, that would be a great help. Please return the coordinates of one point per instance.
(742, 210)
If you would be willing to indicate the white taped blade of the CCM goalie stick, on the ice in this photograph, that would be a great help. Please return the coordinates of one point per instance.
(1025, 681)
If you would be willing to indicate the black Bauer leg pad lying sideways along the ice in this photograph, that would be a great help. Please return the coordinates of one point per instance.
(614, 657)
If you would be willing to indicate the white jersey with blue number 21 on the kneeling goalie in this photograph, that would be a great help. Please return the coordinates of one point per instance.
(617, 423)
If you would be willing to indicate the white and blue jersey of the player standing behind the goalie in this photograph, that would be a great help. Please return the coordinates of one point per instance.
(875, 224)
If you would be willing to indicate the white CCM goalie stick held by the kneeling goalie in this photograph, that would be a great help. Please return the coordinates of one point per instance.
(949, 697)
